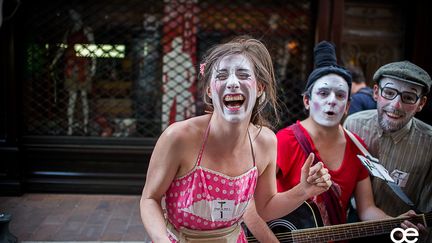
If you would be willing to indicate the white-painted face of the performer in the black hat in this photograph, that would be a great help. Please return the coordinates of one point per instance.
(328, 101)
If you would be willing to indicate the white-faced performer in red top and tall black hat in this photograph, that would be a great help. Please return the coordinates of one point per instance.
(326, 97)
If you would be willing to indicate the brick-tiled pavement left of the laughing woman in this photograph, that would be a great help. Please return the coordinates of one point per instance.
(73, 217)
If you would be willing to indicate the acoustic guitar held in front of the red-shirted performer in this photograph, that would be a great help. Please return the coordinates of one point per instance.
(305, 225)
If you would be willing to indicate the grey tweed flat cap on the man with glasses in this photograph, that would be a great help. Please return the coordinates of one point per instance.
(404, 71)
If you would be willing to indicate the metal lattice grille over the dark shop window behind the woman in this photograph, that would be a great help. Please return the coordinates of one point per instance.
(129, 68)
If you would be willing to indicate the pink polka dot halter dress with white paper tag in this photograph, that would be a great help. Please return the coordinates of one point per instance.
(205, 199)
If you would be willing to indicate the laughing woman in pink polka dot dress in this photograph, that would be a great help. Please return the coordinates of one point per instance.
(206, 169)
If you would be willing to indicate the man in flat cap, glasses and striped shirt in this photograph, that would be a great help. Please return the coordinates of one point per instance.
(401, 142)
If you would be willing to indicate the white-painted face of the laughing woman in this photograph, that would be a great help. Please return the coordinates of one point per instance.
(233, 88)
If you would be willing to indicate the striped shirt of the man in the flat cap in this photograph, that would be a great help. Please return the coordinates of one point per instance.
(407, 150)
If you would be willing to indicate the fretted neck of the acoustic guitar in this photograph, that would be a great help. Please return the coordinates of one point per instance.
(350, 231)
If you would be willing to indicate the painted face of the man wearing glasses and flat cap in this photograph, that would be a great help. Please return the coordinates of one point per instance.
(394, 114)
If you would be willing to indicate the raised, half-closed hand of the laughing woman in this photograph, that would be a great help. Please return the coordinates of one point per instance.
(314, 179)
